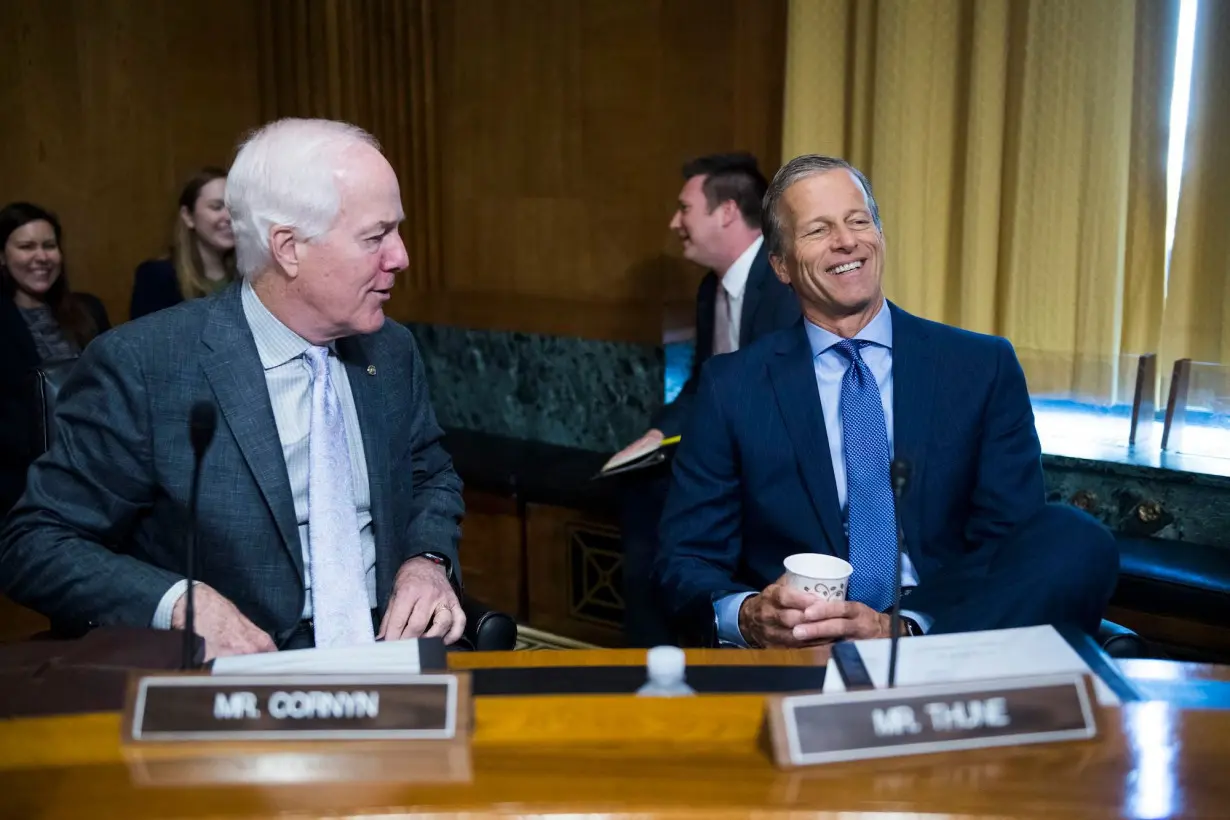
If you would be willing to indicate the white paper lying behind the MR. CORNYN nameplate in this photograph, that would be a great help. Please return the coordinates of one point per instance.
(399, 657)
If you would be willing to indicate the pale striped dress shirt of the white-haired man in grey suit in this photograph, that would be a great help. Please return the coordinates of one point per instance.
(288, 378)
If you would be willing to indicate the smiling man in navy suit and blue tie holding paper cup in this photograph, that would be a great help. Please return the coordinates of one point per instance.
(790, 443)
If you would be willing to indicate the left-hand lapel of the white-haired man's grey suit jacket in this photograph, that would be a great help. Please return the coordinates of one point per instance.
(234, 371)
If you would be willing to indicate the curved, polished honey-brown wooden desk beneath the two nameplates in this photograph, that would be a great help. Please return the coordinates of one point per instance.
(1152, 762)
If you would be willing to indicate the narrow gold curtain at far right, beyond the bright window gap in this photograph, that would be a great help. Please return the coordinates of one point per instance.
(1197, 323)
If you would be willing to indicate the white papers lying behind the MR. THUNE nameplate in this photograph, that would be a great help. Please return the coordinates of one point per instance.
(1023, 652)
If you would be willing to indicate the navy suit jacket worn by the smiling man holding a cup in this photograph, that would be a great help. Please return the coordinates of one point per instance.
(753, 478)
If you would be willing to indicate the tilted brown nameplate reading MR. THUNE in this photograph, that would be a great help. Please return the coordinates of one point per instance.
(807, 730)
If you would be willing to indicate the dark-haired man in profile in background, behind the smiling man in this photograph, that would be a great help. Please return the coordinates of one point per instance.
(740, 301)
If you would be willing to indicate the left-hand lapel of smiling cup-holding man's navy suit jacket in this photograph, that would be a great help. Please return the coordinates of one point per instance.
(794, 380)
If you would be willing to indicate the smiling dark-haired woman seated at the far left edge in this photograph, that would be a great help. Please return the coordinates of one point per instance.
(41, 320)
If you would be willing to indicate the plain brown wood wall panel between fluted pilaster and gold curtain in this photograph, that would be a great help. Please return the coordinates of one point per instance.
(564, 127)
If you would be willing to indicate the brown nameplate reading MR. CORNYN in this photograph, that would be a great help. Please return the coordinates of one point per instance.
(297, 708)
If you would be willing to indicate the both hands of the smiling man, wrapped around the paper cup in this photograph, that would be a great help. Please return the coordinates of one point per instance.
(787, 618)
